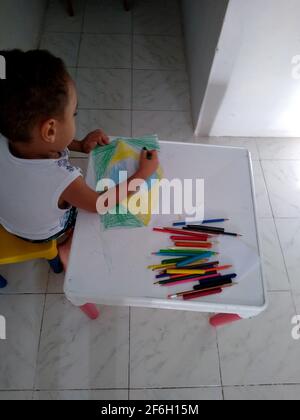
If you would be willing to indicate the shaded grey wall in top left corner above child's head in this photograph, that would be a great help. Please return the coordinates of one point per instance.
(21, 23)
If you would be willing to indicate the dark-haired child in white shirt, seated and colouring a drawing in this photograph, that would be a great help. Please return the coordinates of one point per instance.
(39, 188)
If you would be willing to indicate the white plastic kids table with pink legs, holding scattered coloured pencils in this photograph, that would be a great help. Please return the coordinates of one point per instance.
(109, 267)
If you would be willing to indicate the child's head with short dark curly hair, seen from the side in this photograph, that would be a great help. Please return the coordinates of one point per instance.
(37, 101)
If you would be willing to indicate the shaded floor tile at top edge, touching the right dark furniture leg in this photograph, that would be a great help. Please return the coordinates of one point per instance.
(106, 17)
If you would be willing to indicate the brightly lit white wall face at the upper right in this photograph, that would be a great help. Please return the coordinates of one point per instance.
(251, 91)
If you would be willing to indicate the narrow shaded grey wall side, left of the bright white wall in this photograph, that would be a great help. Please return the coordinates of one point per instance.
(202, 20)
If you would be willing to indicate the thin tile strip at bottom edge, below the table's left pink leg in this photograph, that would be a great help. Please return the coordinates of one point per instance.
(85, 395)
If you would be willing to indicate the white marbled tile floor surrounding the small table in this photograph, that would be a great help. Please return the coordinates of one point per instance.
(130, 83)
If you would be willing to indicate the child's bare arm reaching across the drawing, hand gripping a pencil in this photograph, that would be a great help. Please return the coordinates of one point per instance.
(80, 195)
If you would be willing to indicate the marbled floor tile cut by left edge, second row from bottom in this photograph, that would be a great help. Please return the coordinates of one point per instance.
(18, 353)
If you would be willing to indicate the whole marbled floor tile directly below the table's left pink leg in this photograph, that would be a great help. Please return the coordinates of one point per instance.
(76, 353)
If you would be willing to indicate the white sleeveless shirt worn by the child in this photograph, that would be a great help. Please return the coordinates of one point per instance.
(29, 193)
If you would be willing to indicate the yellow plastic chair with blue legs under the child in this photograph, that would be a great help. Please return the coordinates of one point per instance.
(14, 250)
